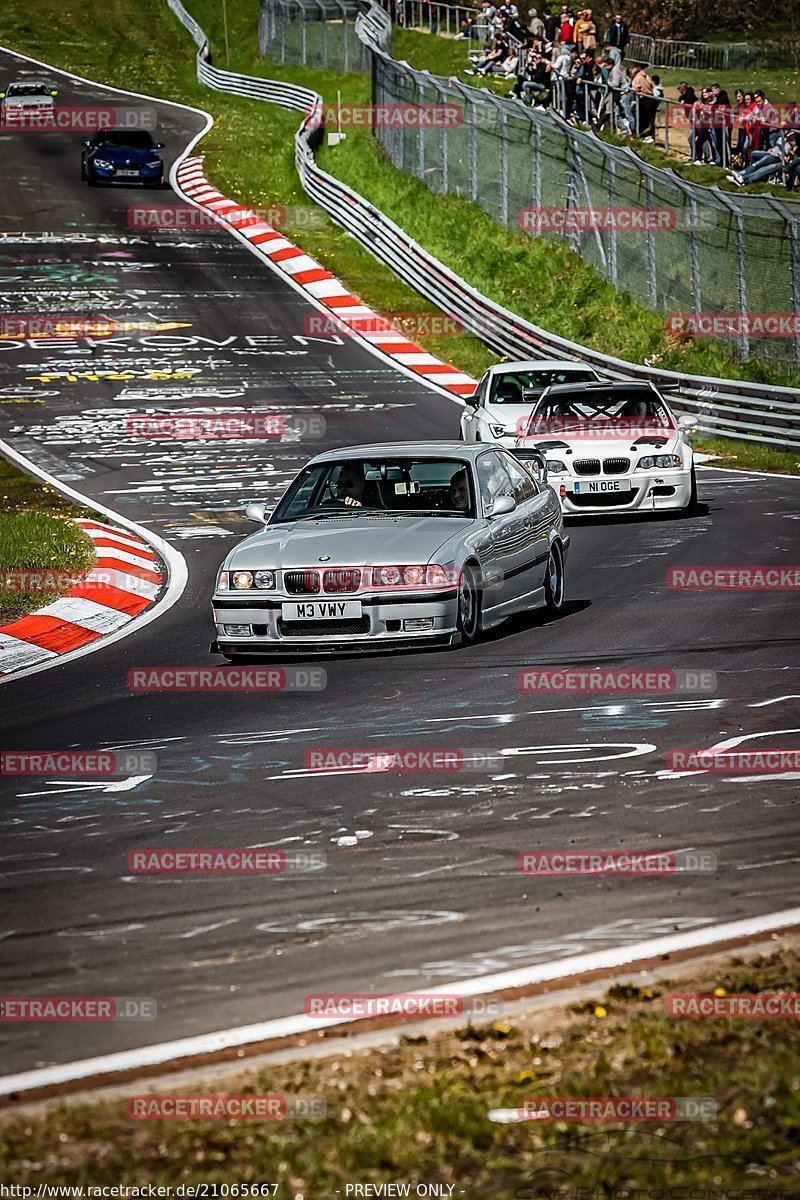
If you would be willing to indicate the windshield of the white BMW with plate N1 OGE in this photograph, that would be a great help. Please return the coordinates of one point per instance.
(618, 413)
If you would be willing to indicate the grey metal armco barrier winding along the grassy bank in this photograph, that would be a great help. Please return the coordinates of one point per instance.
(724, 407)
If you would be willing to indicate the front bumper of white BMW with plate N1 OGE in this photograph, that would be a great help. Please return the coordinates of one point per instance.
(651, 491)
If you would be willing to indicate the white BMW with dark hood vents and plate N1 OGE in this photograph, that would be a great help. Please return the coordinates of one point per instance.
(613, 447)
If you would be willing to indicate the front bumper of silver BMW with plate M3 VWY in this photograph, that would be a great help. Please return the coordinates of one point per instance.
(384, 622)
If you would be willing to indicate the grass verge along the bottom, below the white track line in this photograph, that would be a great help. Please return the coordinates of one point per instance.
(419, 1112)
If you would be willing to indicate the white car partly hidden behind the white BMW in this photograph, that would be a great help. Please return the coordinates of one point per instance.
(500, 407)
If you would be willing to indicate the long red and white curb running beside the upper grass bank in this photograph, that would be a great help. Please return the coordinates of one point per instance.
(318, 283)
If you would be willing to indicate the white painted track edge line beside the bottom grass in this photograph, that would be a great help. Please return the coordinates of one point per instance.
(287, 1027)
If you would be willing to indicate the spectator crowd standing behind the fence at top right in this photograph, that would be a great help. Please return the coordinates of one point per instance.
(561, 61)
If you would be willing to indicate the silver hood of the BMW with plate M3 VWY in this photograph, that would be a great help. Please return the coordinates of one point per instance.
(348, 542)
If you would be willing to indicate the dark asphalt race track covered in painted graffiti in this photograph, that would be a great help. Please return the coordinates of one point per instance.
(422, 885)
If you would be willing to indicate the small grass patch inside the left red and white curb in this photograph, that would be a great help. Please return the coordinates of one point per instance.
(37, 535)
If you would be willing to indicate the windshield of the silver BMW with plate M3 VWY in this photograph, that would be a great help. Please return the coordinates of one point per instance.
(380, 485)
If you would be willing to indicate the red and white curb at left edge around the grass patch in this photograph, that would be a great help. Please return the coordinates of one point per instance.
(125, 580)
